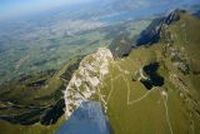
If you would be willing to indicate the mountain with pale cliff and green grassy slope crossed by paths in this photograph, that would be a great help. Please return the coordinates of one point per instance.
(153, 89)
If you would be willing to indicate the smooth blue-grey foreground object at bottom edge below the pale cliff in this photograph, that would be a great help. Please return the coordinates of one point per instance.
(89, 118)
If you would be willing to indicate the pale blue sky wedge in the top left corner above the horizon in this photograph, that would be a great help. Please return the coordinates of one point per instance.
(9, 8)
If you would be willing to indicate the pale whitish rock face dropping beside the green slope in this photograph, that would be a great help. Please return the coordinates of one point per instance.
(86, 79)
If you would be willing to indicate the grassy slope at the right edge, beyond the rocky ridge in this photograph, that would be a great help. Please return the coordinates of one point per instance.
(189, 38)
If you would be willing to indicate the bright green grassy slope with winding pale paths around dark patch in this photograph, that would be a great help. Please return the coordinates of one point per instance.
(154, 113)
